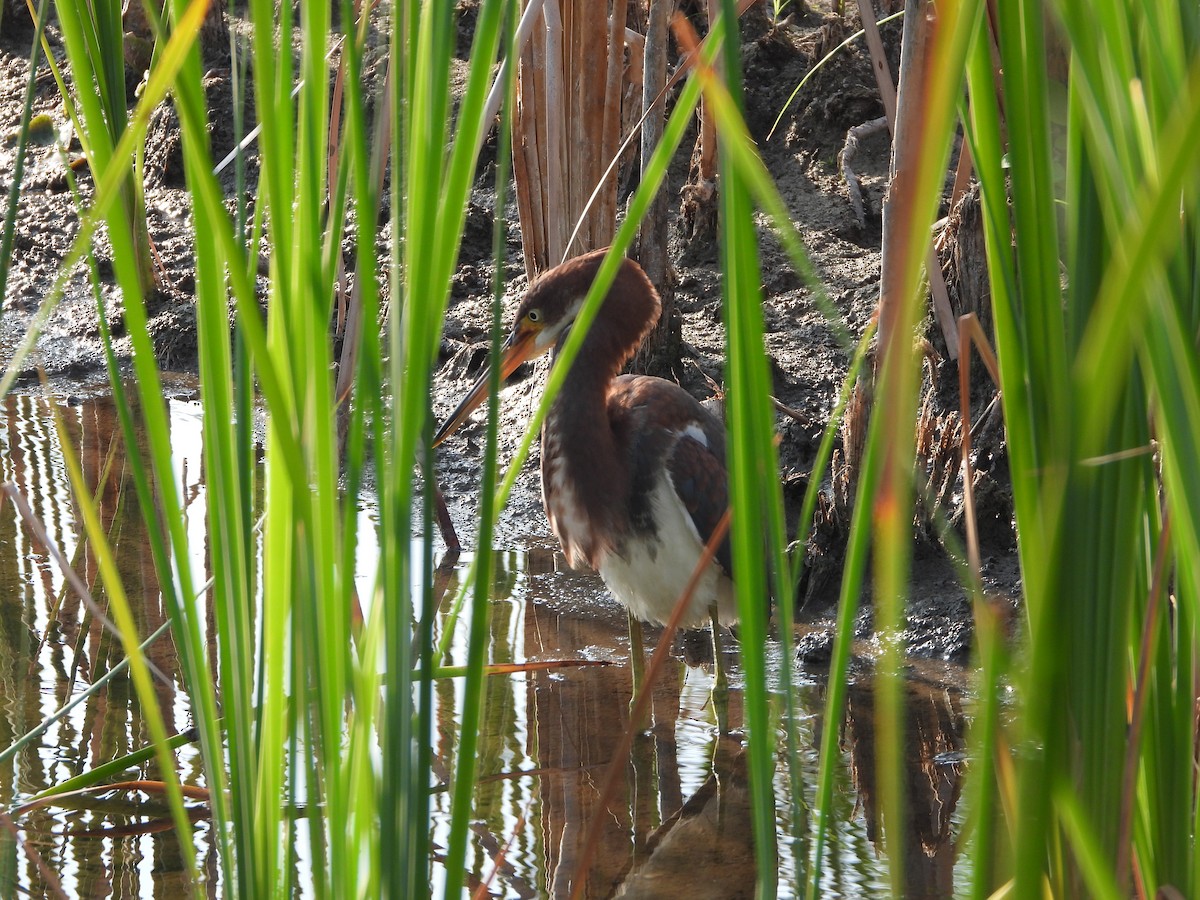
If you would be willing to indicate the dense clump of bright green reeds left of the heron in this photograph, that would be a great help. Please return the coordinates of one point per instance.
(304, 716)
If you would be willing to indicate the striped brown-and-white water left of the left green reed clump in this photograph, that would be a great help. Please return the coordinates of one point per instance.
(53, 646)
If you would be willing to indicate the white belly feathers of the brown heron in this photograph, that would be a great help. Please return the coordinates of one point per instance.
(651, 577)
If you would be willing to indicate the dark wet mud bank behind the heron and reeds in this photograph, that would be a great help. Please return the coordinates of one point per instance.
(808, 363)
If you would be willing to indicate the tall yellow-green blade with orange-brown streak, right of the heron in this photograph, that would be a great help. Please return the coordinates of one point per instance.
(925, 130)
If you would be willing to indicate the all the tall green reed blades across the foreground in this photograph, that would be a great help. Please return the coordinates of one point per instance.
(1090, 199)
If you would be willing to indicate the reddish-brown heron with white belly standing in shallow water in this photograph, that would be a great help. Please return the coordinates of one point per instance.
(633, 467)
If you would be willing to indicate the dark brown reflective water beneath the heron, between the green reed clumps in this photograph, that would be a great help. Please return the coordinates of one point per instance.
(681, 827)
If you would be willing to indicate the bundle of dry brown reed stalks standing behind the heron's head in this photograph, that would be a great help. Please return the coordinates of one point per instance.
(568, 129)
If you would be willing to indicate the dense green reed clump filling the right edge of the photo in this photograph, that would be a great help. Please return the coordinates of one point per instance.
(1093, 251)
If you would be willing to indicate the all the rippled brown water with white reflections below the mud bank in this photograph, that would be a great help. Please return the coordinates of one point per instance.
(680, 827)
